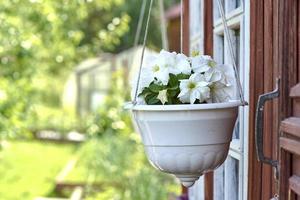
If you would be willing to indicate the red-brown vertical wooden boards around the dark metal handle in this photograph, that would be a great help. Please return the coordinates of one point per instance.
(273, 54)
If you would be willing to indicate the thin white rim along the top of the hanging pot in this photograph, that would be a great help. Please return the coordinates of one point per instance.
(181, 107)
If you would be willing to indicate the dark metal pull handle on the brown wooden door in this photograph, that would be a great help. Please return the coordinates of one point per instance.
(259, 125)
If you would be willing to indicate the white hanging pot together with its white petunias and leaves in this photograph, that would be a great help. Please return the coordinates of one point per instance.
(185, 114)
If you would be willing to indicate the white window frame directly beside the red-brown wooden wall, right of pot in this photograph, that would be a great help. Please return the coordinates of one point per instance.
(237, 18)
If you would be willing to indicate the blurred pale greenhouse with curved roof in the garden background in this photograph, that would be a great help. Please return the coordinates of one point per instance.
(89, 83)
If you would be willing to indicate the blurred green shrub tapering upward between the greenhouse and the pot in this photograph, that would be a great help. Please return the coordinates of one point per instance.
(114, 155)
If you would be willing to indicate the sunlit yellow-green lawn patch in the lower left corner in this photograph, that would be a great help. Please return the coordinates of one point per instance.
(28, 168)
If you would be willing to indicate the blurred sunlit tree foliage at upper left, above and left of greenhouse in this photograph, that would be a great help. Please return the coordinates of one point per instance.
(40, 43)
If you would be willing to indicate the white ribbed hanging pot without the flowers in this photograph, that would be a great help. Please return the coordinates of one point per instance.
(186, 140)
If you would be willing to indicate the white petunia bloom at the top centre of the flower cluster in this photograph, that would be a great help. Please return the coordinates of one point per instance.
(182, 65)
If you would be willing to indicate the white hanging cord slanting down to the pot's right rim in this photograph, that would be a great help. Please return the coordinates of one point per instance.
(232, 55)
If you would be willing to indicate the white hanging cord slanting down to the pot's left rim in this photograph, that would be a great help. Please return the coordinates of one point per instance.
(143, 52)
